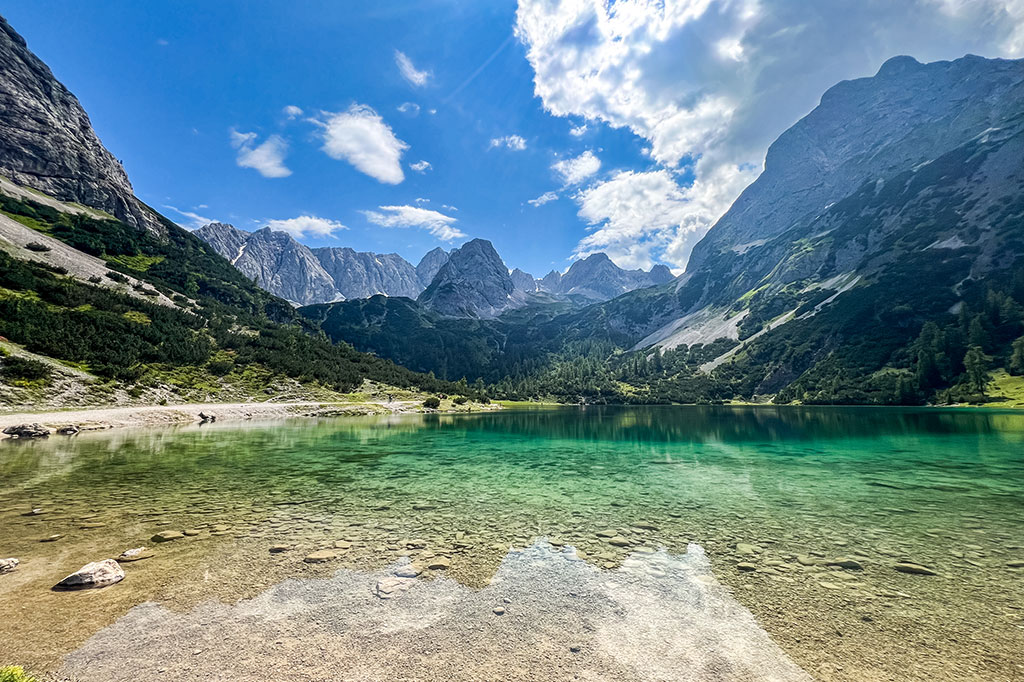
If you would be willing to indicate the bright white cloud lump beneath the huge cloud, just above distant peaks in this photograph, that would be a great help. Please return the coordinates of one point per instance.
(641, 219)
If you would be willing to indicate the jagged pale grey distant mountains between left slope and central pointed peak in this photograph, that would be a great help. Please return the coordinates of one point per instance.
(290, 270)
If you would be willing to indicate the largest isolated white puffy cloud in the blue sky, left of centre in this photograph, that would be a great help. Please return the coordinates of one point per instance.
(362, 138)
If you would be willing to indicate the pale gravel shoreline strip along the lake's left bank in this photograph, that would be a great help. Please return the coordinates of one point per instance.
(108, 418)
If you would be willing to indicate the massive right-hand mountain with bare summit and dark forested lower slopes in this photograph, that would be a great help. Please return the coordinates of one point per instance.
(878, 260)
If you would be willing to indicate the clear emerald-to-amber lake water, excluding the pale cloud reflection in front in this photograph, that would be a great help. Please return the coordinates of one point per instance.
(943, 489)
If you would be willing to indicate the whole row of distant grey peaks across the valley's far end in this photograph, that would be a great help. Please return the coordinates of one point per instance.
(478, 284)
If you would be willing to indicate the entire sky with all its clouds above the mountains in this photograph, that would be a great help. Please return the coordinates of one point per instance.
(634, 123)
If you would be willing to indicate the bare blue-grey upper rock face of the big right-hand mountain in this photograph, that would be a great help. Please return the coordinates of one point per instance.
(917, 113)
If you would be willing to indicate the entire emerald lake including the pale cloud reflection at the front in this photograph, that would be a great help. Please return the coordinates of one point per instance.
(761, 538)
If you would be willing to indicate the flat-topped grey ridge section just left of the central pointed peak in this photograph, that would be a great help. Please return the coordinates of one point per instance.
(362, 275)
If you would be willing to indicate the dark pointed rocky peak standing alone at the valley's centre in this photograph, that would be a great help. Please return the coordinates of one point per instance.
(475, 283)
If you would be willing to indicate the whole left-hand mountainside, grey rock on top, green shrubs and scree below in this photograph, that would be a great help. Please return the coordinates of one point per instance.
(97, 310)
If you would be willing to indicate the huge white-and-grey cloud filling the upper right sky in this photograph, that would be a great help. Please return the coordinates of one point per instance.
(714, 83)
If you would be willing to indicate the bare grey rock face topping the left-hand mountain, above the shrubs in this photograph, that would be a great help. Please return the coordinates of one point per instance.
(48, 142)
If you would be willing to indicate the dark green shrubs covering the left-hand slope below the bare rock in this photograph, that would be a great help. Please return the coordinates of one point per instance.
(223, 324)
